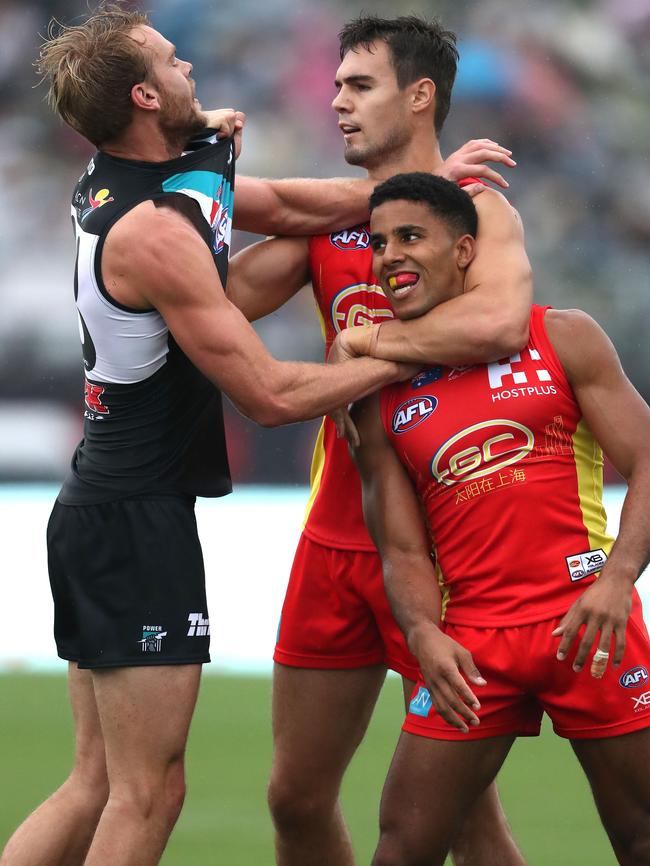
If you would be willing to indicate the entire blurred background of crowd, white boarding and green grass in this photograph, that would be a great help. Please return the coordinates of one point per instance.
(564, 85)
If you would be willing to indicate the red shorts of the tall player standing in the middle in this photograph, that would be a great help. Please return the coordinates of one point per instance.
(336, 614)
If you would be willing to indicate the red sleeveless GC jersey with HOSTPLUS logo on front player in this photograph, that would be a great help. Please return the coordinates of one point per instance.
(510, 478)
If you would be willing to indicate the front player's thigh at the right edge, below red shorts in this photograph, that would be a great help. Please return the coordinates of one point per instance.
(617, 769)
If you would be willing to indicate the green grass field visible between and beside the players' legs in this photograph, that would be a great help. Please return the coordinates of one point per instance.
(225, 822)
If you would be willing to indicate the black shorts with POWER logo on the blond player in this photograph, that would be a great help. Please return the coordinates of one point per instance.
(128, 583)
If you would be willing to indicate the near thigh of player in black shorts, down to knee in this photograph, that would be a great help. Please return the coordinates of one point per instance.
(145, 715)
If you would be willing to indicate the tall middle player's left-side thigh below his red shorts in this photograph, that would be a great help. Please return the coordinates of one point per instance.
(319, 719)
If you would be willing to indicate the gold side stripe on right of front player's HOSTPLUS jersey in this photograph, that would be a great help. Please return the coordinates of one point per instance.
(588, 458)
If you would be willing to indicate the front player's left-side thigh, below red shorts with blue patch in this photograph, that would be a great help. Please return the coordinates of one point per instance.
(442, 780)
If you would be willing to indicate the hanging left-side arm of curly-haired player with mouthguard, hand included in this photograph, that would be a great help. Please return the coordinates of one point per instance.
(393, 516)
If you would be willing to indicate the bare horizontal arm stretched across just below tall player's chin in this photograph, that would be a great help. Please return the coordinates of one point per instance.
(299, 206)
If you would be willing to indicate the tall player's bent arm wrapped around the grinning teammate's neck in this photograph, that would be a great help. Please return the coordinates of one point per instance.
(487, 322)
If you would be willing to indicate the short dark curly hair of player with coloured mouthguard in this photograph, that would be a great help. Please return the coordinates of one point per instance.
(445, 200)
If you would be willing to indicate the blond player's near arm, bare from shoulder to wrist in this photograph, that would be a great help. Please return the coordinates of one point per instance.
(154, 257)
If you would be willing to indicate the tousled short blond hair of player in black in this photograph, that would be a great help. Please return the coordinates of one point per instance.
(91, 68)
